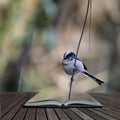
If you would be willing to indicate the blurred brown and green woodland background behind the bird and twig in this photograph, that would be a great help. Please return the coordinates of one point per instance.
(34, 34)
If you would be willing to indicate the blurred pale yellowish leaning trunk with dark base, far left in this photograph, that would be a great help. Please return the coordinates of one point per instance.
(17, 37)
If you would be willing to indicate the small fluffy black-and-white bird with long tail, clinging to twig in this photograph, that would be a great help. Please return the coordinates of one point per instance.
(68, 64)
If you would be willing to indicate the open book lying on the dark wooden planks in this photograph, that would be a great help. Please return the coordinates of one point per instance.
(82, 100)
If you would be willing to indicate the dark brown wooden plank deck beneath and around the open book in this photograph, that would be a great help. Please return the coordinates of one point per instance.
(12, 109)
